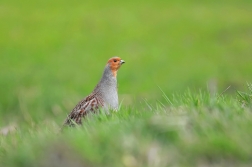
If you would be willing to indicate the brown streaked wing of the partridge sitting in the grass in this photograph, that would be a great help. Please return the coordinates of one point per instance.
(90, 103)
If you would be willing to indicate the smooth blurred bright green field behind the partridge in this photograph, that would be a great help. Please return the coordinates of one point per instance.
(52, 53)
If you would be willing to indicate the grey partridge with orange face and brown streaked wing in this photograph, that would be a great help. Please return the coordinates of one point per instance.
(104, 96)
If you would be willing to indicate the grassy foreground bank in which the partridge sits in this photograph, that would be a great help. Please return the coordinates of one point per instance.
(196, 130)
